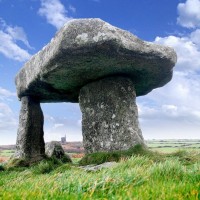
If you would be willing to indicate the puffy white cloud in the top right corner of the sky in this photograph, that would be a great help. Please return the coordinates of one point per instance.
(189, 14)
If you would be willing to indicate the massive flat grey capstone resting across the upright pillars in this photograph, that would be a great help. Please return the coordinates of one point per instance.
(86, 50)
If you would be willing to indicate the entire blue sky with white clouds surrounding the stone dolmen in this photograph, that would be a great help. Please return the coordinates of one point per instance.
(172, 111)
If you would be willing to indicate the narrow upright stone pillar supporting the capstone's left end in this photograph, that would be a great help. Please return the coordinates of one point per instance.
(30, 142)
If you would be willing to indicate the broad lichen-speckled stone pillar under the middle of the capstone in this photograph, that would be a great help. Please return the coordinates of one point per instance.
(109, 115)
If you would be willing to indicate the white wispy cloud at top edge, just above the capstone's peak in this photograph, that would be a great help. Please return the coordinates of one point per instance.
(55, 12)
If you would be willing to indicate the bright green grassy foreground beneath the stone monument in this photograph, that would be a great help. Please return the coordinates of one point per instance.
(175, 176)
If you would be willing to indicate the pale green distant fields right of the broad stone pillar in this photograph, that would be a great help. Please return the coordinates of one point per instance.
(167, 146)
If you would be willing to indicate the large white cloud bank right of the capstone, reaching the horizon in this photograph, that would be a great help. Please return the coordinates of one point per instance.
(174, 109)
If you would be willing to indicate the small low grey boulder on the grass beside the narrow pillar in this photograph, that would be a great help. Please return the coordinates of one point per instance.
(54, 149)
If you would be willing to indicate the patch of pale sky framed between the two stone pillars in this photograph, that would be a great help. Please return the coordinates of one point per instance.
(67, 123)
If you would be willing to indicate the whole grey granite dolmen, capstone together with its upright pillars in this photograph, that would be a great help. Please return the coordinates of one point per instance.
(101, 67)
